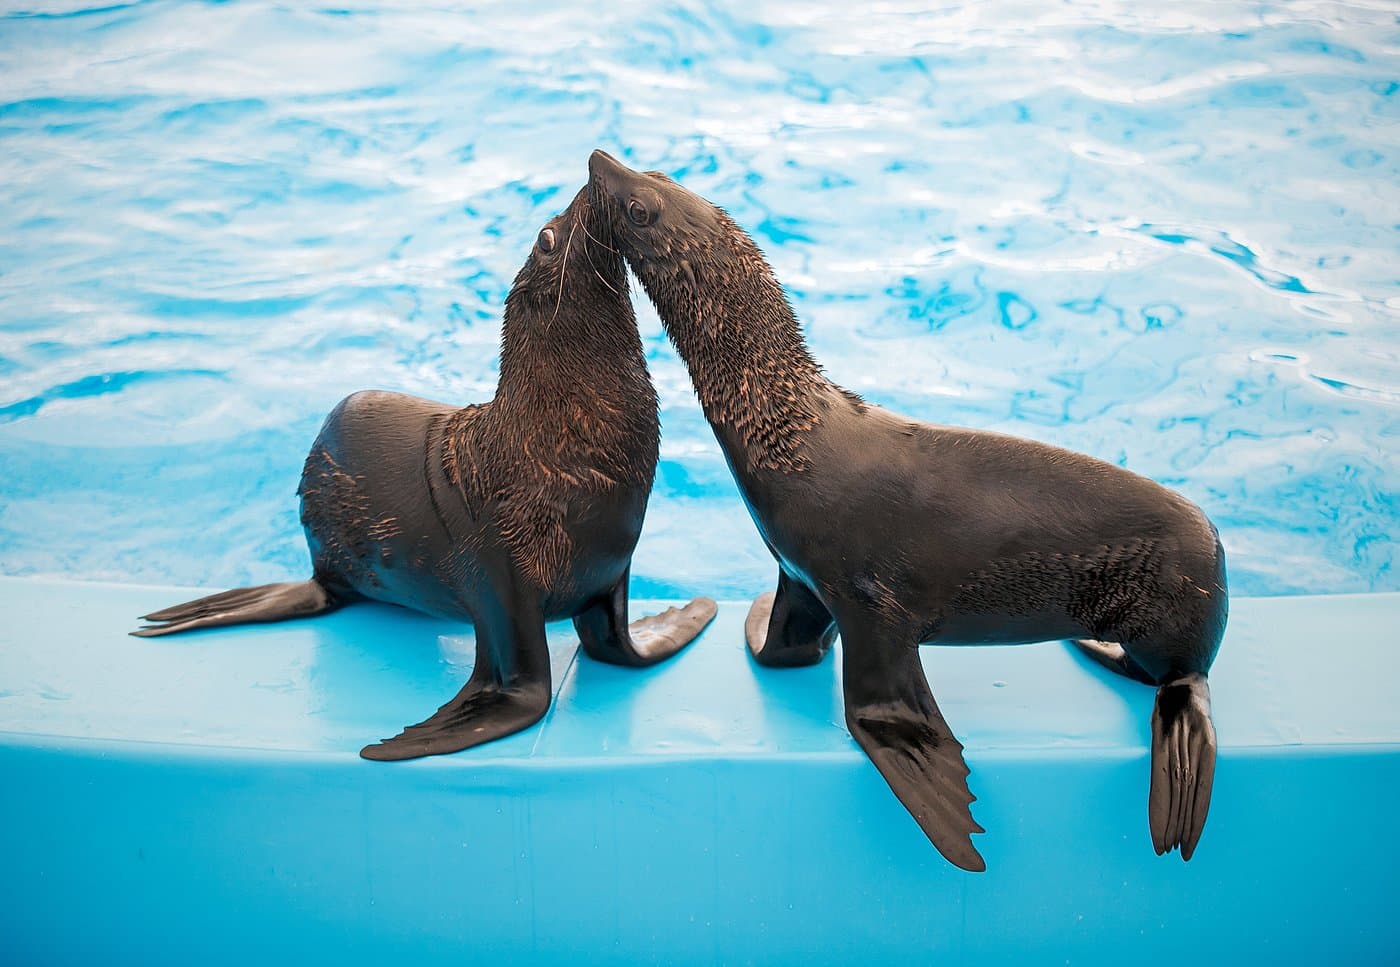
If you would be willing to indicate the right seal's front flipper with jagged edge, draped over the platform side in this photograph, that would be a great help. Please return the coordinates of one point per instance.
(892, 714)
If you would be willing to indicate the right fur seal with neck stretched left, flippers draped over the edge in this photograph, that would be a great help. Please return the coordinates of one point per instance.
(899, 534)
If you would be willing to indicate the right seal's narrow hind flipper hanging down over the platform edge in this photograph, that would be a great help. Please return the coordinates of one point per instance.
(1184, 765)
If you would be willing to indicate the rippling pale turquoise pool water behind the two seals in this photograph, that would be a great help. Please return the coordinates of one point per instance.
(1164, 237)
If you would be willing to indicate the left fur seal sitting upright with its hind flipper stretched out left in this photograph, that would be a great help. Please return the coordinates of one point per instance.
(506, 514)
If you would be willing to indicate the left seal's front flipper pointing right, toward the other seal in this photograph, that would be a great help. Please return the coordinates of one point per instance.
(605, 635)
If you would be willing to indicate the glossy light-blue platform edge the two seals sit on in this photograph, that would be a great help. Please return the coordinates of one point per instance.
(199, 800)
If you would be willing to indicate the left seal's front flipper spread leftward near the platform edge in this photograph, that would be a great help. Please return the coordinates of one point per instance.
(509, 692)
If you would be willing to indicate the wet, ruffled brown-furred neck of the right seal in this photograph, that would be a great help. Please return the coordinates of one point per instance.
(758, 384)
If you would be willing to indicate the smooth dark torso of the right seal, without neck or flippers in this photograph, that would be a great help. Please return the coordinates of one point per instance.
(965, 537)
